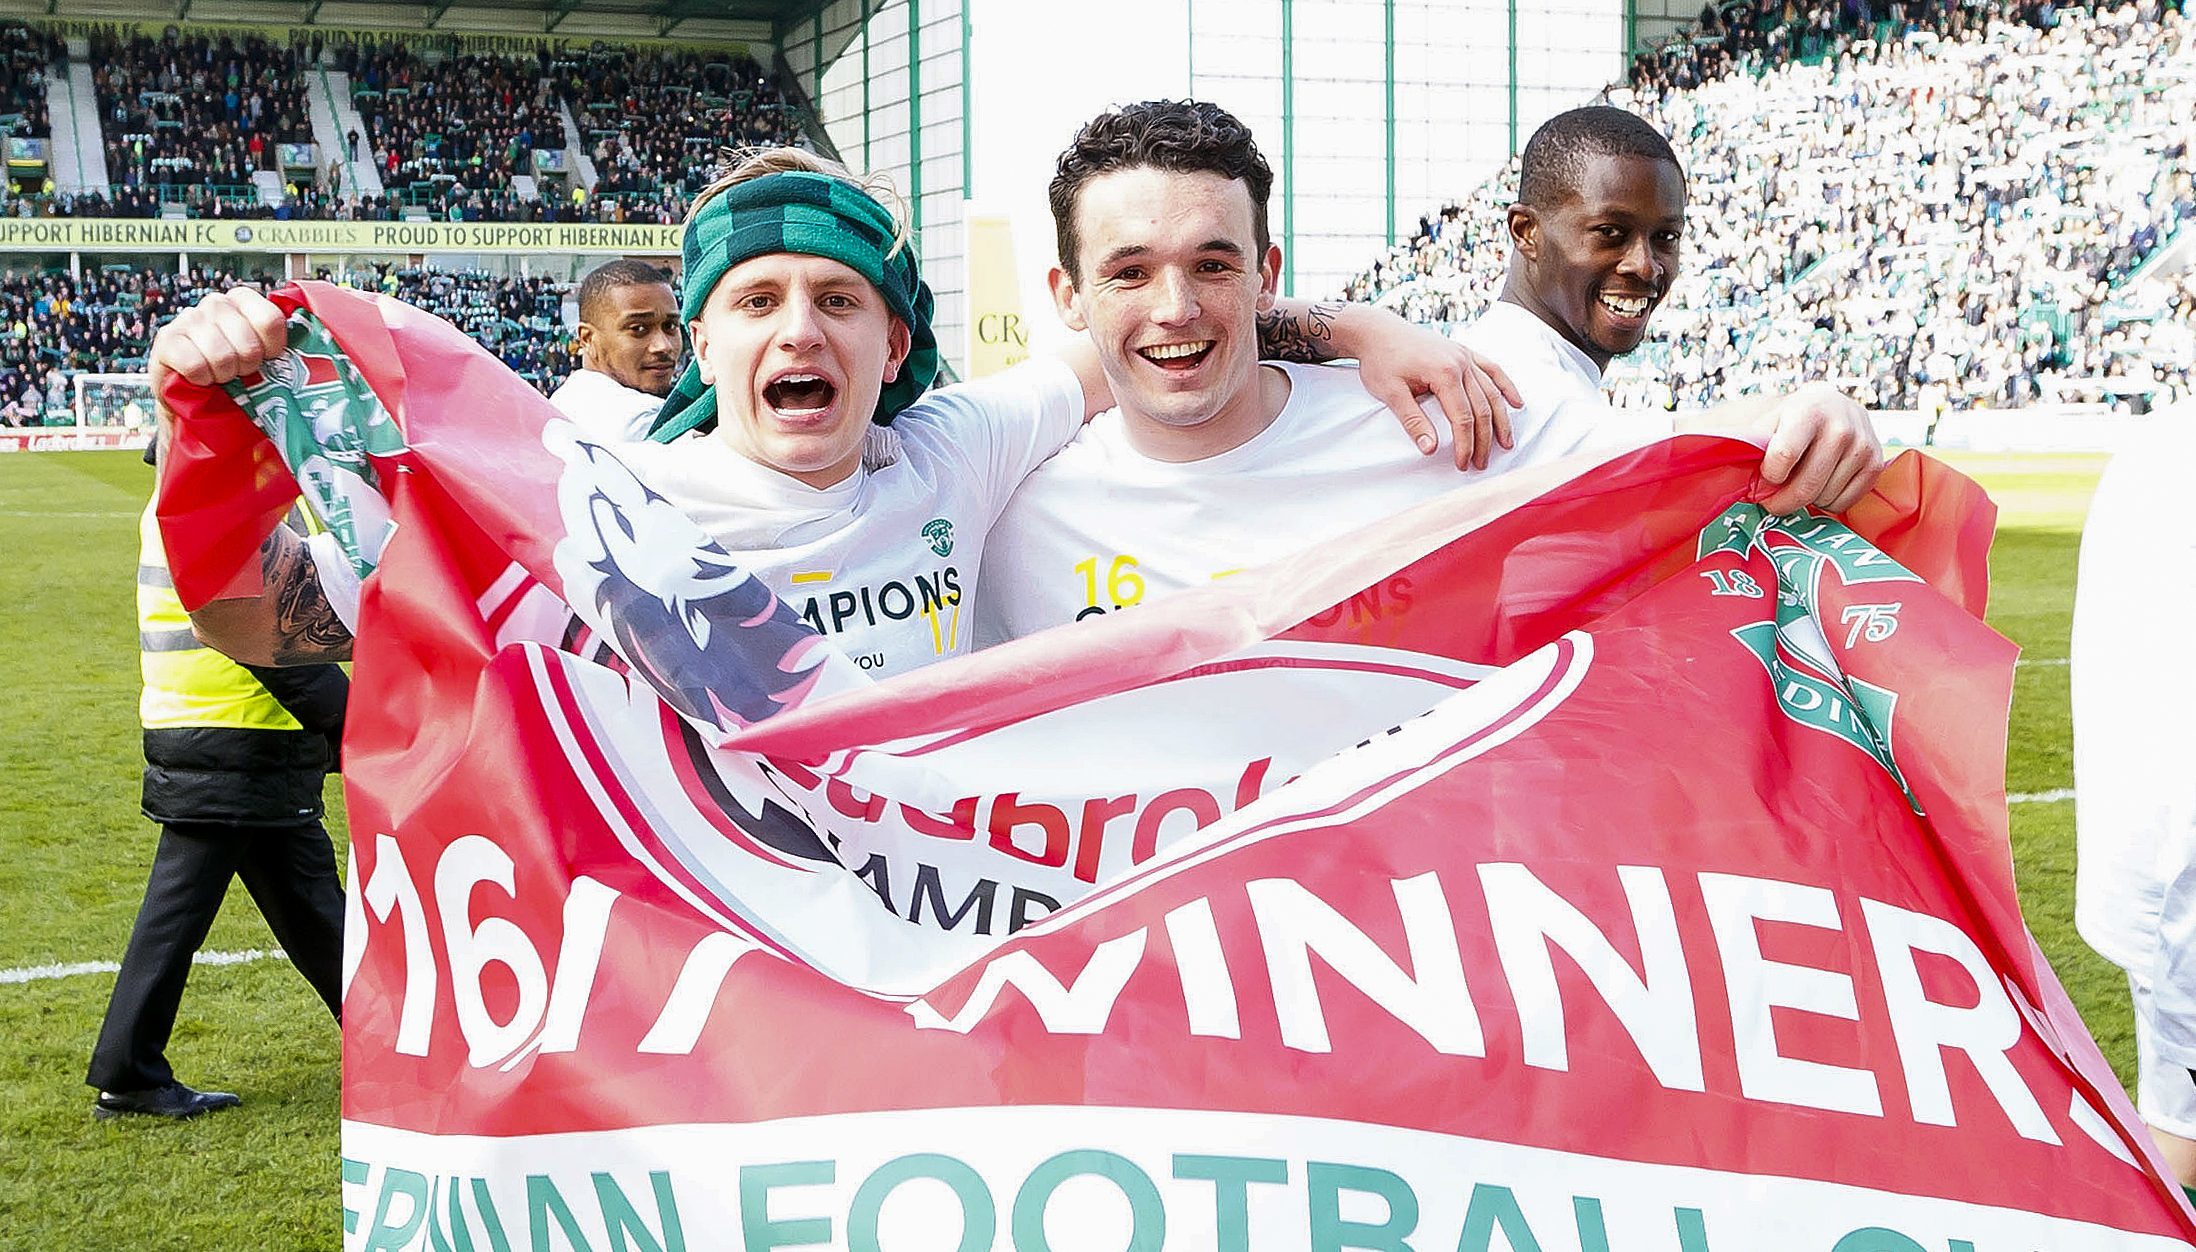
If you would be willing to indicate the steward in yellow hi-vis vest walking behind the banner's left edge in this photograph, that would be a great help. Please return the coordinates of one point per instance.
(236, 761)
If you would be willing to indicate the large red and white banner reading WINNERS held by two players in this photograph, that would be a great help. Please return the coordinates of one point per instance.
(1571, 864)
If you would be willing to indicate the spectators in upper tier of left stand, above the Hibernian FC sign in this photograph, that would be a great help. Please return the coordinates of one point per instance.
(190, 120)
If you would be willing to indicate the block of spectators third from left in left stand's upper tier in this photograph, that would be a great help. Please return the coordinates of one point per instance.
(456, 122)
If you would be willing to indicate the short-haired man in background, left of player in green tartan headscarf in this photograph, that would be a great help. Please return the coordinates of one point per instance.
(629, 350)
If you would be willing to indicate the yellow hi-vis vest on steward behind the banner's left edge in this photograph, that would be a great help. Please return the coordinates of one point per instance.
(186, 682)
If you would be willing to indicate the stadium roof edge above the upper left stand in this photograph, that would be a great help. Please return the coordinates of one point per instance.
(704, 21)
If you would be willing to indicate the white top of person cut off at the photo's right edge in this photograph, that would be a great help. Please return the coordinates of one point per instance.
(2136, 726)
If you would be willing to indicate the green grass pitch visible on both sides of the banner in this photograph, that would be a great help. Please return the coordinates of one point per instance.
(74, 856)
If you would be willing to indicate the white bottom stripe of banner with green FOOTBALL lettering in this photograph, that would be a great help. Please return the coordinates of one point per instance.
(994, 1163)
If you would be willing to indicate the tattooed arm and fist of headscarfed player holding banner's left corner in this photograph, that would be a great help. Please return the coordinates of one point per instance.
(291, 623)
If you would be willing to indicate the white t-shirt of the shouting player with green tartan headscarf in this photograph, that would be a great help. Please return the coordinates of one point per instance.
(886, 563)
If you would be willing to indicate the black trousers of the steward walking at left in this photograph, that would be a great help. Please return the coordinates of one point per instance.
(291, 873)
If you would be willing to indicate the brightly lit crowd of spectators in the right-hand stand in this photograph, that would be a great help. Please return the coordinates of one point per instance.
(1942, 219)
